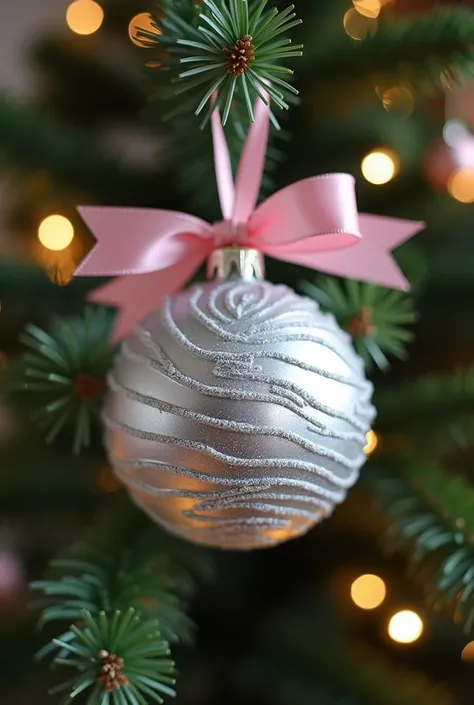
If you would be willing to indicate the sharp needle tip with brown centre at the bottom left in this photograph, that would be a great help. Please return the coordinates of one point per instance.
(121, 659)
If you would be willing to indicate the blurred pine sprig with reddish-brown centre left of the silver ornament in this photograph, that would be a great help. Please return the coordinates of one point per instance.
(65, 370)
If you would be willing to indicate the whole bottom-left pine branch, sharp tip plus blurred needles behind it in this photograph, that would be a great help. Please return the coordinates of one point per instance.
(123, 606)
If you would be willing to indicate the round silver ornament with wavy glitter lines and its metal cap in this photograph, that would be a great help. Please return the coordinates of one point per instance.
(238, 411)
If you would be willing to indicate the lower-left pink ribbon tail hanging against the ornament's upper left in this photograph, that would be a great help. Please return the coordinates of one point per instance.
(136, 296)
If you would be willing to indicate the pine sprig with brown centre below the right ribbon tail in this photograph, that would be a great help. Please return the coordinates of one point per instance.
(377, 318)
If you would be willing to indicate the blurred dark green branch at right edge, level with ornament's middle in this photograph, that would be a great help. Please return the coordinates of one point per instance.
(436, 407)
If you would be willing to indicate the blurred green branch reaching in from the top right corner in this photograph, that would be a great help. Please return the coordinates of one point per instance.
(428, 50)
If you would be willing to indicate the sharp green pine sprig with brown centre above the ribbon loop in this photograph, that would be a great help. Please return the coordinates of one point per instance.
(235, 50)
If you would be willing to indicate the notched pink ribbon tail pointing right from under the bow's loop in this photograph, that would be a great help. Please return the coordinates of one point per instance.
(370, 260)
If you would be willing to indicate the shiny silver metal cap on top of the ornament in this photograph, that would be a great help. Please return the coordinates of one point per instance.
(236, 263)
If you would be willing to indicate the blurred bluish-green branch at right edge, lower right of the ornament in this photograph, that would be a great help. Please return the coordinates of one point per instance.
(429, 516)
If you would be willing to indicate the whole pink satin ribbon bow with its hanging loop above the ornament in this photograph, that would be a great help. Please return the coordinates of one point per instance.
(310, 223)
